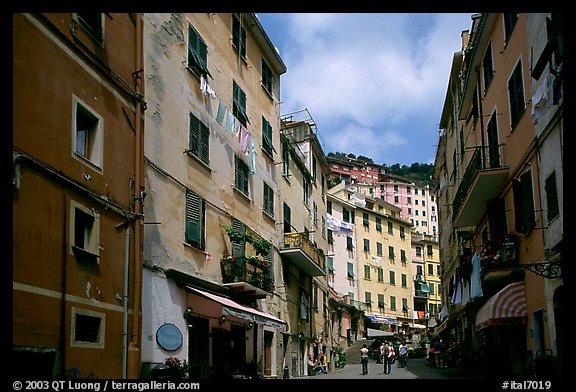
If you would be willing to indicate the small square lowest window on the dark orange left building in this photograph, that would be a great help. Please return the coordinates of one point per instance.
(88, 328)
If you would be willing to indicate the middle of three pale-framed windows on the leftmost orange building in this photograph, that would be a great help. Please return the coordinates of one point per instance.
(85, 232)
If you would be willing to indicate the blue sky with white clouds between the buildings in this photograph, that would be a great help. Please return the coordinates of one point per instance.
(374, 83)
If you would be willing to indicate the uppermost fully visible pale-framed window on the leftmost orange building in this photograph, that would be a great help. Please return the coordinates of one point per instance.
(87, 134)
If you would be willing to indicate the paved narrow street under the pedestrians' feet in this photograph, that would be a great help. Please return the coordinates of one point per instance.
(416, 369)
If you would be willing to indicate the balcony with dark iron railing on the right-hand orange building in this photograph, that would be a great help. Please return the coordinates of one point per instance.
(482, 180)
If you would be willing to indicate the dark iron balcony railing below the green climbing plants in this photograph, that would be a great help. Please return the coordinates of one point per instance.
(248, 270)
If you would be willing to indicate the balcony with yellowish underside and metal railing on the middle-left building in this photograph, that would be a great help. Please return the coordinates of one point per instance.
(298, 249)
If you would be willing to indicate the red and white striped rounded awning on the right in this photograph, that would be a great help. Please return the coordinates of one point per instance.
(506, 307)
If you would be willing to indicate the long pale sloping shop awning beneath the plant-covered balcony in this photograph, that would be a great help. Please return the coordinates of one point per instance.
(234, 309)
